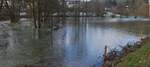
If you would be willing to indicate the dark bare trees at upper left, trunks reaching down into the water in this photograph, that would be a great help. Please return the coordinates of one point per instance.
(39, 10)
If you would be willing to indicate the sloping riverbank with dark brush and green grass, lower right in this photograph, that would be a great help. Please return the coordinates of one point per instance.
(132, 55)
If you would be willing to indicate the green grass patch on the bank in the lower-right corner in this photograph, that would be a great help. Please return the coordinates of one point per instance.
(139, 58)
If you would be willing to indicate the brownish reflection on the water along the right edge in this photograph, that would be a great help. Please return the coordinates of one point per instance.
(138, 28)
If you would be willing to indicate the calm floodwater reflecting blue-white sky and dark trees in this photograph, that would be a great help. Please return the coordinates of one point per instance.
(79, 44)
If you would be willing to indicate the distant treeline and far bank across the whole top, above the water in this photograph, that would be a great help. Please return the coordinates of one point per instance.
(43, 10)
